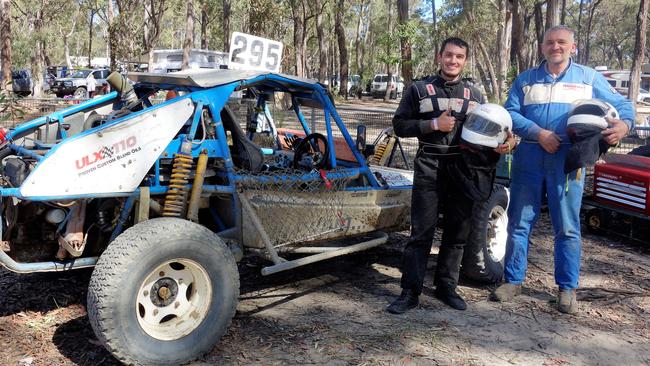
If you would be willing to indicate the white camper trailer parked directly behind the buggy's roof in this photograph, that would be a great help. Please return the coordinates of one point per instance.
(165, 61)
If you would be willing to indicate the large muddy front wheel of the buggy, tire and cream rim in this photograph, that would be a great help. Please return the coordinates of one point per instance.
(149, 256)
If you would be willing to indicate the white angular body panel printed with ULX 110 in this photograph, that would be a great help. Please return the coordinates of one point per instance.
(111, 160)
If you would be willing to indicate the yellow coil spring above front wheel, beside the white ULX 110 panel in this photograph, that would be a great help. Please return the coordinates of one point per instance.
(176, 198)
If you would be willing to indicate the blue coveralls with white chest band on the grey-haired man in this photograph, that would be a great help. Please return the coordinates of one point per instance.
(538, 101)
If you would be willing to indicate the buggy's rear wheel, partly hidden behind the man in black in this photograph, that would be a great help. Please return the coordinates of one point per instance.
(486, 243)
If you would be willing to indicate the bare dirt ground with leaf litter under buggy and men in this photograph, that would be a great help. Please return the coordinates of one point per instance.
(332, 313)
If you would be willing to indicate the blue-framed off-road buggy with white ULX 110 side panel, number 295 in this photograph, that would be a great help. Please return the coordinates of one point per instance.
(164, 198)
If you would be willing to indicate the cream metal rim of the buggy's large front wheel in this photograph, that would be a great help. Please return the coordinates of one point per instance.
(174, 299)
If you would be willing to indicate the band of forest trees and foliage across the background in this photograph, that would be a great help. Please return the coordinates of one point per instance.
(326, 38)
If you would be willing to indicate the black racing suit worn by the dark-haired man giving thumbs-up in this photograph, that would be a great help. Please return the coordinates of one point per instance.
(423, 101)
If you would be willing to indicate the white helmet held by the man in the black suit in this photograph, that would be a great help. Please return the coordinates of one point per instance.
(487, 126)
